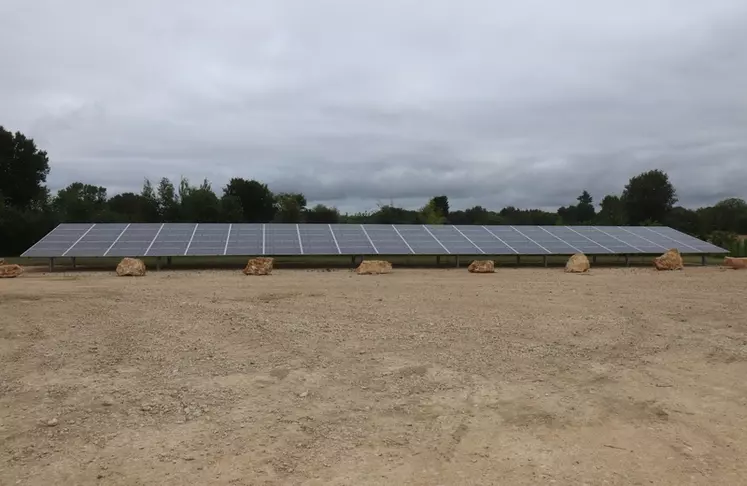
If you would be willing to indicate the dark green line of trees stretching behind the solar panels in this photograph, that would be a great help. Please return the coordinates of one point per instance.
(28, 209)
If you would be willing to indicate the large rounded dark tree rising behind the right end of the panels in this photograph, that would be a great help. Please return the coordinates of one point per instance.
(649, 197)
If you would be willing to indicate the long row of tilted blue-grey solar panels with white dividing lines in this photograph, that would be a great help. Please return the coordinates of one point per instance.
(277, 239)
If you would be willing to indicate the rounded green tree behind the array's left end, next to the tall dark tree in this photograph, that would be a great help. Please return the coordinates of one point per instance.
(81, 203)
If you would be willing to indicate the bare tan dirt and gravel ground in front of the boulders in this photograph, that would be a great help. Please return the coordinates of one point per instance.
(426, 377)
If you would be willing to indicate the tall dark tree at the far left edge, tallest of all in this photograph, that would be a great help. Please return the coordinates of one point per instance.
(23, 171)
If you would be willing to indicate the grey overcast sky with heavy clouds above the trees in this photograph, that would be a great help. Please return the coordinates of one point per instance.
(356, 103)
